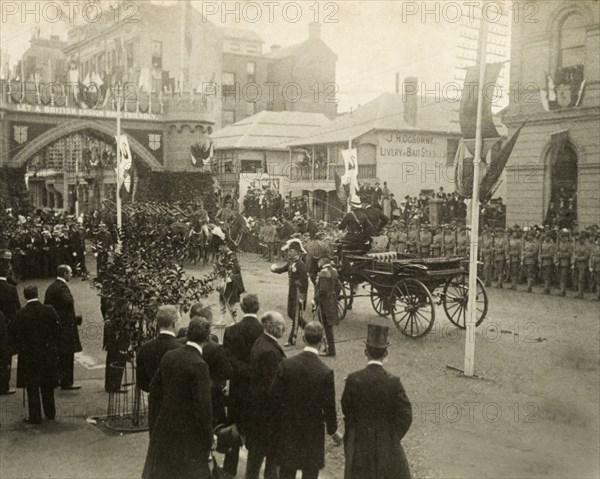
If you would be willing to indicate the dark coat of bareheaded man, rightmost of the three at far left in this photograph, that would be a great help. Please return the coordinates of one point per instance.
(59, 297)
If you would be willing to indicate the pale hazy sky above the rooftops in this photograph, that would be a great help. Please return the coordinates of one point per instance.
(373, 40)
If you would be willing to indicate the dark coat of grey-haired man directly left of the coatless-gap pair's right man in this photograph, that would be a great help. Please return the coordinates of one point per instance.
(264, 360)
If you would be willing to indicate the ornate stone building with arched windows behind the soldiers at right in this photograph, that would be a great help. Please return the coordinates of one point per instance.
(554, 169)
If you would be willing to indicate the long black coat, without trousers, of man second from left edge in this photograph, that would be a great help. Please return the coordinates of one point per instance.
(37, 336)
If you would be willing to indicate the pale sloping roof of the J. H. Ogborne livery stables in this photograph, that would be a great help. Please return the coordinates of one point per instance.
(386, 112)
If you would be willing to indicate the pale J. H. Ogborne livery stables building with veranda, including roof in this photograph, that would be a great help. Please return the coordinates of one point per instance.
(409, 142)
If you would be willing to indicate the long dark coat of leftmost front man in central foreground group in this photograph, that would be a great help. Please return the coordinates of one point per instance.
(181, 431)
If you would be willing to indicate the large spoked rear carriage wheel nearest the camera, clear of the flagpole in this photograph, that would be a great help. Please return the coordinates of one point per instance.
(412, 308)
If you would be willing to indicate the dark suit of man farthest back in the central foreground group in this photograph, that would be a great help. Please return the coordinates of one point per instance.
(238, 341)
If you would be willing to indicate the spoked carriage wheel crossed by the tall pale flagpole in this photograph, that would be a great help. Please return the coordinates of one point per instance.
(455, 298)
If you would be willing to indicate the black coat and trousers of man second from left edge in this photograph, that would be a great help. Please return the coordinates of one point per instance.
(37, 337)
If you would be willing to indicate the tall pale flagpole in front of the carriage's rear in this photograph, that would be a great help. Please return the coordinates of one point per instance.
(471, 318)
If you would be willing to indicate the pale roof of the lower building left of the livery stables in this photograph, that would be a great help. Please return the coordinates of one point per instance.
(268, 130)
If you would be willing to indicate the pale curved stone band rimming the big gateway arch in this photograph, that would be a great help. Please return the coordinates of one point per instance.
(74, 126)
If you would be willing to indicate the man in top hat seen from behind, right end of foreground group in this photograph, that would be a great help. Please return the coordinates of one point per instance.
(377, 415)
